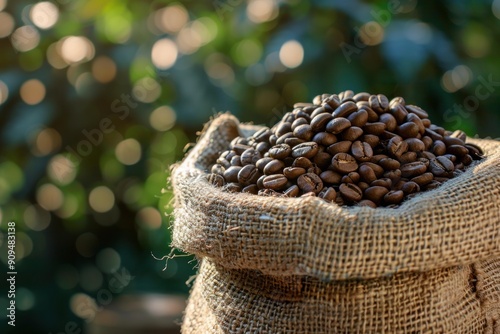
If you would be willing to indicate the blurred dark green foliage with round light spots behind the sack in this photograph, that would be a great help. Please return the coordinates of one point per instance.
(99, 98)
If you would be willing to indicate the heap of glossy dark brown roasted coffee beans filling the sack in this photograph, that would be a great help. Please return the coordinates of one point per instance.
(349, 149)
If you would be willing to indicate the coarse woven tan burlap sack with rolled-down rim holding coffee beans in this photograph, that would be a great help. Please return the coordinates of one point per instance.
(300, 265)
